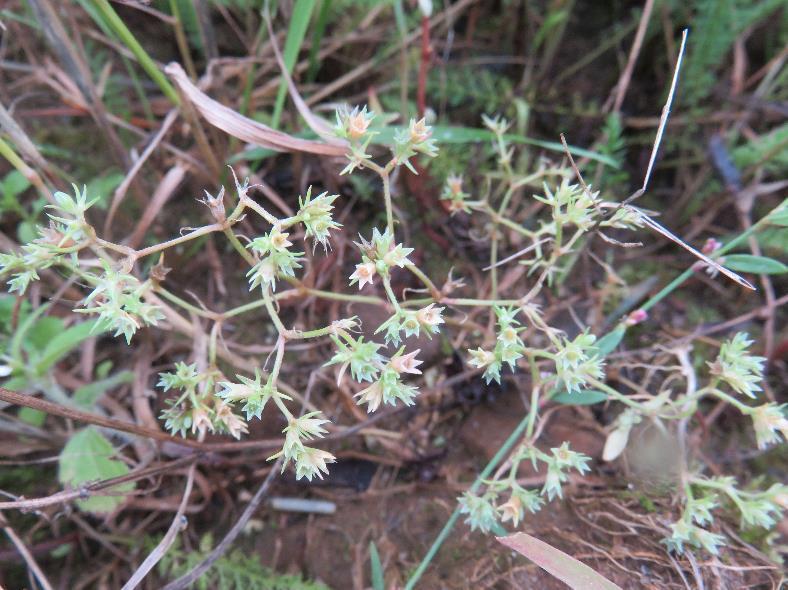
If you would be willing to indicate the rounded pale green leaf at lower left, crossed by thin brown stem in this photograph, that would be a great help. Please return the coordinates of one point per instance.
(86, 458)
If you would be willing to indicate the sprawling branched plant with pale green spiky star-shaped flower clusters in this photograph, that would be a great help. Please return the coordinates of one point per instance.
(560, 366)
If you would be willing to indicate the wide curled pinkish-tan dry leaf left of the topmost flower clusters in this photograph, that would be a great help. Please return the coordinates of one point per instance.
(244, 128)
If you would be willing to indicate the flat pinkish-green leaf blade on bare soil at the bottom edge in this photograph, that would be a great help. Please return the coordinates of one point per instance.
(572, 572)
